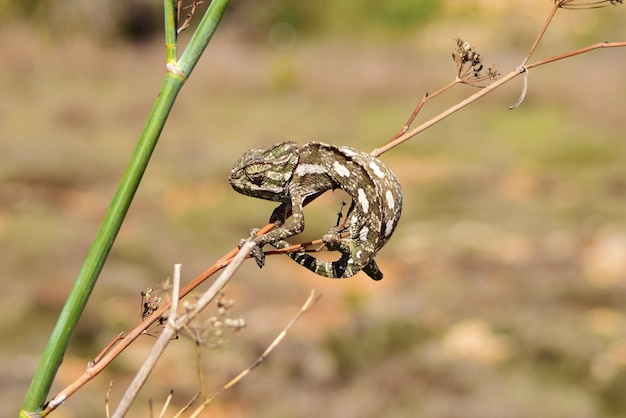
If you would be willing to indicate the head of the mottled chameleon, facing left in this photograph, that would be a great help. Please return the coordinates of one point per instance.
(265, 173)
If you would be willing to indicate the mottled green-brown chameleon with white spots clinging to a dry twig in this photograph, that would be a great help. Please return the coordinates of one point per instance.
(291, 175)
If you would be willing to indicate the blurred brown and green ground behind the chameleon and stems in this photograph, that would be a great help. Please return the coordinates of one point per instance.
(504, 282)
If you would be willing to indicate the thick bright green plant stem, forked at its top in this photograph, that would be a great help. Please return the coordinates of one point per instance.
(96, 257)
